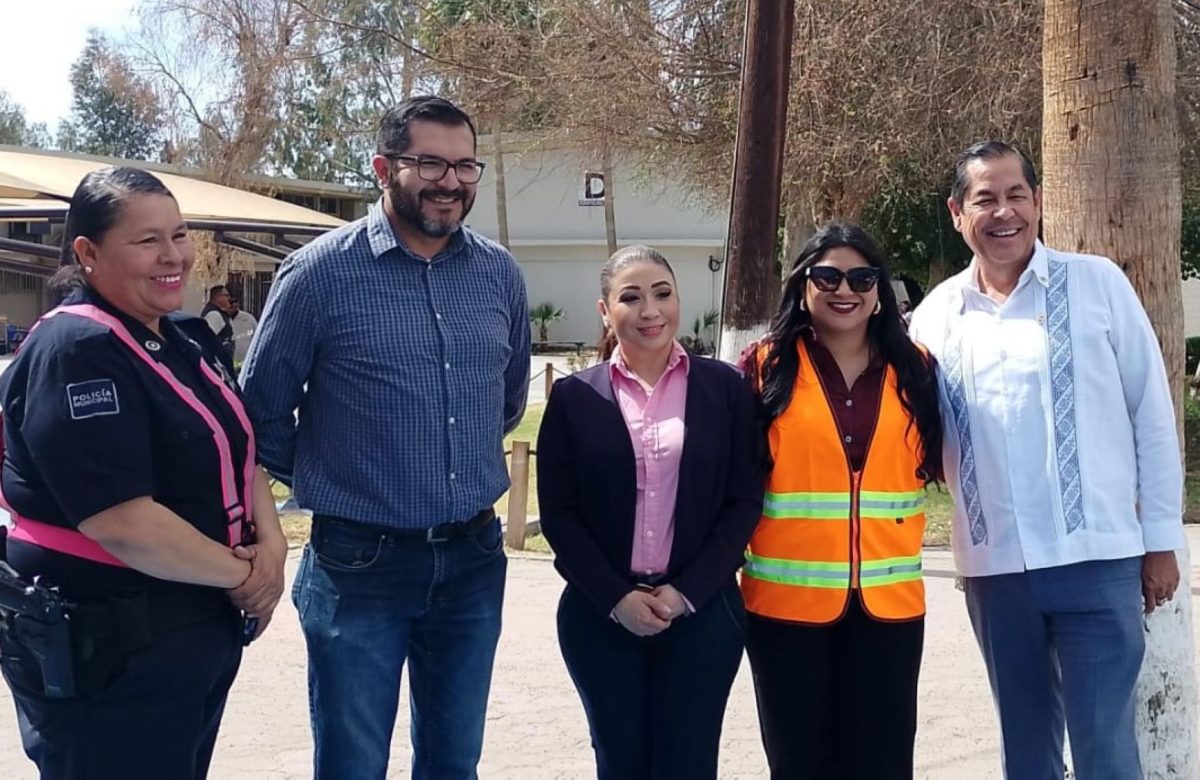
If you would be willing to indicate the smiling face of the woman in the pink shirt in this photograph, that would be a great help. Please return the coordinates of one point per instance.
(643, 310)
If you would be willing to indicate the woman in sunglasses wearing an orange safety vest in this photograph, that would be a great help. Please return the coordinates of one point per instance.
(833, 579)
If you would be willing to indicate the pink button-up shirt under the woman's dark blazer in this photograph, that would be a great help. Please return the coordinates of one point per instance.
(656, 424)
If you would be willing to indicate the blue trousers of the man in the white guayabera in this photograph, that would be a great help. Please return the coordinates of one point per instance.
(1060, 643)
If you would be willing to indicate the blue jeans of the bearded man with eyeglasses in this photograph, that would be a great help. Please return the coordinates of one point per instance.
(368, 602)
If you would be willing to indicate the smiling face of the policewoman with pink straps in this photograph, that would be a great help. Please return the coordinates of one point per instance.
(142, 263)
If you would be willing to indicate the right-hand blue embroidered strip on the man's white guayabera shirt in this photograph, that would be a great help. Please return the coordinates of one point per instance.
(1063, 389)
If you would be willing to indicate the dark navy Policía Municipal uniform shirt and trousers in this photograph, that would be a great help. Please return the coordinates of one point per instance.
(171, 650)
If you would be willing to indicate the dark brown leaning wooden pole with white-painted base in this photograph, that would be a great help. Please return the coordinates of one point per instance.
(752, 286)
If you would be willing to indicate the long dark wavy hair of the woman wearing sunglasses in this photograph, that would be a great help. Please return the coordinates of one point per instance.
(915, 370)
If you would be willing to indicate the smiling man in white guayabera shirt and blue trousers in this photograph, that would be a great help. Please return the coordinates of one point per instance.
(1063, 458)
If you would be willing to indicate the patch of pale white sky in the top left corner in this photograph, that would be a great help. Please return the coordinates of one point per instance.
(41, 39)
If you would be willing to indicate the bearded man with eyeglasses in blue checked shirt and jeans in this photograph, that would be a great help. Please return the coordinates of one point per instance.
(404, 341)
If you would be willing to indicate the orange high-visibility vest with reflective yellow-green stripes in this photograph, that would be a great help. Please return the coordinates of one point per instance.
(826, 529)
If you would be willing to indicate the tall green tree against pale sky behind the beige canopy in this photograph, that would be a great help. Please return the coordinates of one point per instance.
(115, 112)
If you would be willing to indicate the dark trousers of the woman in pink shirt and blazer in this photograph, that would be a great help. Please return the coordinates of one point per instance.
(655, 705)
